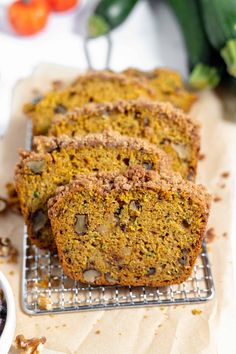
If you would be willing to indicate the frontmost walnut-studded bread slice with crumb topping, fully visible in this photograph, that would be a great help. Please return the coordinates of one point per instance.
(132, 228)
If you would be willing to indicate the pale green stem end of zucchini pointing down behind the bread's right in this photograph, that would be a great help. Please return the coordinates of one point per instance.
(204, 76)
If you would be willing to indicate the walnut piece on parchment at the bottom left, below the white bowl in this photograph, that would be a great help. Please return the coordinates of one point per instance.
(30, 346)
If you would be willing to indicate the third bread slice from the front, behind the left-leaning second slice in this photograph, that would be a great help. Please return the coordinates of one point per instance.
(159, 123)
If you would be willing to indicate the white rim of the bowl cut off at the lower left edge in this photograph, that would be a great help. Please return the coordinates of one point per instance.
(9, 329)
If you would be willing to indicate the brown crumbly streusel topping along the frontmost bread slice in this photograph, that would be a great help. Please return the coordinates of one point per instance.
(135, 177)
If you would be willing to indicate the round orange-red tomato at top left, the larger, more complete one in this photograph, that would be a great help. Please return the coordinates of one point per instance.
(28, 17)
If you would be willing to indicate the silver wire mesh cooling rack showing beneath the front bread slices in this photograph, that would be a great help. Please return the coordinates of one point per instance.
(43, 276)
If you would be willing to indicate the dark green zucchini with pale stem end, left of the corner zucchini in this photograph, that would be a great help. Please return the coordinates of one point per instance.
(203, 74)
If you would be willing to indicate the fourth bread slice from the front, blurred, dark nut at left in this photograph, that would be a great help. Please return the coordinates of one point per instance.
(92, 87)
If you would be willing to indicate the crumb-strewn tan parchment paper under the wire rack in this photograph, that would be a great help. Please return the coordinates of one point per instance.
(164, 330)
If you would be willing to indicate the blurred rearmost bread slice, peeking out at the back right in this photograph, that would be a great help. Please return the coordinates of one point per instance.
(168, 86)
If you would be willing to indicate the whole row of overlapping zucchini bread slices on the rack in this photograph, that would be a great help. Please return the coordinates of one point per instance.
(109, 186)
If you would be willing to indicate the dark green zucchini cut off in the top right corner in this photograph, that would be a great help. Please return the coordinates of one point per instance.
(219, 18)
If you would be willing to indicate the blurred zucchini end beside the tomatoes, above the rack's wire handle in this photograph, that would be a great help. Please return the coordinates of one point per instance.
(108, 15)
